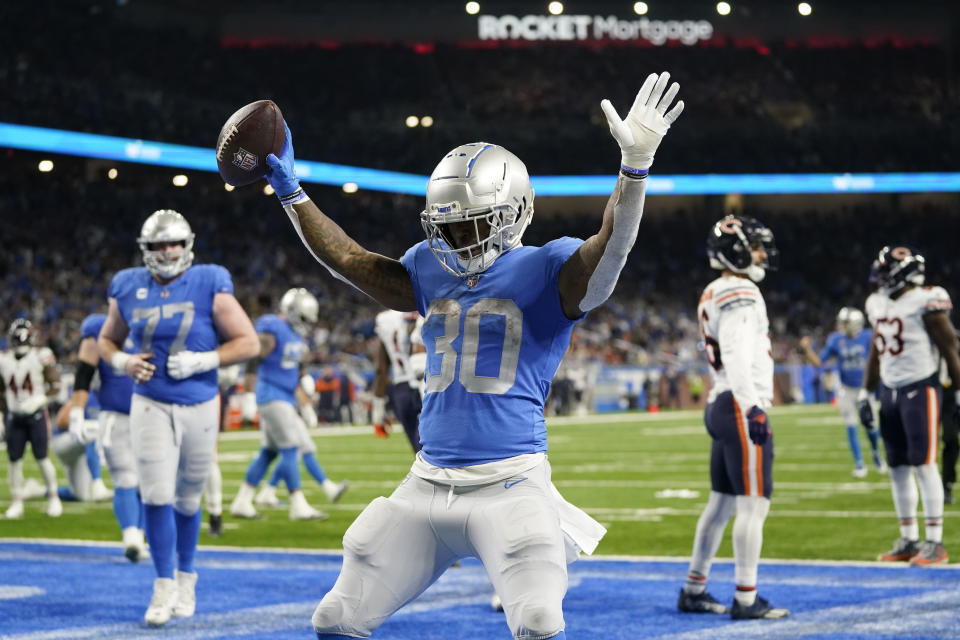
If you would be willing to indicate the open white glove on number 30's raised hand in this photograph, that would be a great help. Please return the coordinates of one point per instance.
(640, 133)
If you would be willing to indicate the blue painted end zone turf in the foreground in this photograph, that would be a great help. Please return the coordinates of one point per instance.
(64, 591)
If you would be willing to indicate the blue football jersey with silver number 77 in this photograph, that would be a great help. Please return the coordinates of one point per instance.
(167, 319)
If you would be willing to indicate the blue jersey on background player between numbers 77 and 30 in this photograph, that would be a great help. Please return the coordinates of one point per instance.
(279, 373)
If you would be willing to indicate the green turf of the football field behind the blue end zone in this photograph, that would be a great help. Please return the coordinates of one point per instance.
(644, 476)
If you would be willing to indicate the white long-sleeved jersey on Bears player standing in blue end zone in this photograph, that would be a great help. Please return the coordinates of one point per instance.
(736, 336)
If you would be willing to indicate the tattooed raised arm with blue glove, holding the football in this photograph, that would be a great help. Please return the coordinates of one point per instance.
(383, 279)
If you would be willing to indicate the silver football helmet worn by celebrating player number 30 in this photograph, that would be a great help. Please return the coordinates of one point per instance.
(484, 184)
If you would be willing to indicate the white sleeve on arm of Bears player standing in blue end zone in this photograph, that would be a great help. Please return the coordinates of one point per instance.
(738, 335)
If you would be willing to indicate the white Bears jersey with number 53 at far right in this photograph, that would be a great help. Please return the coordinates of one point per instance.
(907, 354)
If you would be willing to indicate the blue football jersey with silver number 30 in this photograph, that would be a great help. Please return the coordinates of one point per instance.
(492, 351)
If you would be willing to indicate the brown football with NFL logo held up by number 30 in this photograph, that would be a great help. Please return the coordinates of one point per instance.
(245, 140)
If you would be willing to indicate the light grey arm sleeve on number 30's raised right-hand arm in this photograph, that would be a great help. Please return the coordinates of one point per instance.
(626, 222)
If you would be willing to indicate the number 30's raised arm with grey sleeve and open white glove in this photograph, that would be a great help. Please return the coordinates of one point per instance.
(589, 276)
